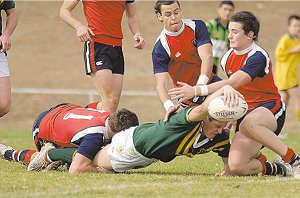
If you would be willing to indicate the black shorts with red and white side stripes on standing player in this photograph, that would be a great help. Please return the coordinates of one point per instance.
(98, 56)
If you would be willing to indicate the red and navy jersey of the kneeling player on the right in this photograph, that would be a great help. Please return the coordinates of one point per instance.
(256, 63)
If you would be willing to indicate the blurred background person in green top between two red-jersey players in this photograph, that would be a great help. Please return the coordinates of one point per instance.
(218, 31)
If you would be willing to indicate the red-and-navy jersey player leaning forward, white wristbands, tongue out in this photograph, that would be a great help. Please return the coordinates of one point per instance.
(183, 52)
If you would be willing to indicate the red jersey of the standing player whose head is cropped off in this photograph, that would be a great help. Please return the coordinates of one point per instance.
(104, 18)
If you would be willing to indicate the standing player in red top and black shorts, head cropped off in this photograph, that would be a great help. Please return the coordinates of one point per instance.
(103, 36)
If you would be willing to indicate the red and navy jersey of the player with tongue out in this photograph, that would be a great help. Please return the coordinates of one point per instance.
(177, 53)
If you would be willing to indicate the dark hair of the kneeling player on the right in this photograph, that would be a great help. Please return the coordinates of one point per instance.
(249, 22)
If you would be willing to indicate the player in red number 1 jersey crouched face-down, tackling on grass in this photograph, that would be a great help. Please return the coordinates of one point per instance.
(71, 126)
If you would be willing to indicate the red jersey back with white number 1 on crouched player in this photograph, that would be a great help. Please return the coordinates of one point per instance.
(66, 124)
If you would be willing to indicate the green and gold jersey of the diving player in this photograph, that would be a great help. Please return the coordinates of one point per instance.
(179, 136)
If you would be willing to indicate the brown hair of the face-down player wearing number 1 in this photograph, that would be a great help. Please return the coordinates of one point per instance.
(122, 119)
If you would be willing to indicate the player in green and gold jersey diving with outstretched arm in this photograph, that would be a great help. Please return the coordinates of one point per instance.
(188, 132)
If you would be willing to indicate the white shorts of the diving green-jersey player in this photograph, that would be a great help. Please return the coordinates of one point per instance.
(123, 155)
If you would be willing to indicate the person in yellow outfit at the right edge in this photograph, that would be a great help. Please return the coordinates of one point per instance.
(287, 64)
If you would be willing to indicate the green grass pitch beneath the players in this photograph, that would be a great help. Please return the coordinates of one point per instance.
(183, 177)
